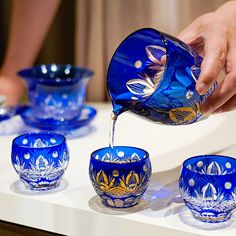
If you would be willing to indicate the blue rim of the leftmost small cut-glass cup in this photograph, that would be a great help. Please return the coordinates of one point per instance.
(63, 141)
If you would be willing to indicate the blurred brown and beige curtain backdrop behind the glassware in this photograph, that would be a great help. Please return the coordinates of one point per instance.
(86, 32)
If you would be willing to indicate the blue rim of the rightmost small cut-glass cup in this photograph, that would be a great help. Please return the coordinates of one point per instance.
(207, 156)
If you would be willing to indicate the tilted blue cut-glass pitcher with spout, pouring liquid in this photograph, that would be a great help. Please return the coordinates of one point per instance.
(154, 75)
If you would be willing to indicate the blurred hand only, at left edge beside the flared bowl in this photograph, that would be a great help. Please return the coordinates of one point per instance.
(11, 88)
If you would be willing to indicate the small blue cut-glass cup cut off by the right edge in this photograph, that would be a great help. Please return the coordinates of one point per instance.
(208, 187)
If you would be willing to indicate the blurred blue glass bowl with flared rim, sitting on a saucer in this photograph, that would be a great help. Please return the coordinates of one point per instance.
(56, 92)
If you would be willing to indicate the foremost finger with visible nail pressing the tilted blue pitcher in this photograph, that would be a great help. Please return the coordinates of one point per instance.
(215, 50)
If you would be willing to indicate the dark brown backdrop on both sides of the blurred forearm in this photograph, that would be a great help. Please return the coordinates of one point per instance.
(59, 44)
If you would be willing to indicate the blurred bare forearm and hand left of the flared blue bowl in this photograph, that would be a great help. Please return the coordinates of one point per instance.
(30, 22)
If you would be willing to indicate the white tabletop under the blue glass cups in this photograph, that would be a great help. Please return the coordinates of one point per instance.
(75, 209)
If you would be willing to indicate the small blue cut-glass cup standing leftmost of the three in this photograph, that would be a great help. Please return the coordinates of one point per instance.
(40, 159)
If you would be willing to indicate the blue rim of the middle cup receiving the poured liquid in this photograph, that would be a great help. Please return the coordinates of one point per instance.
(93, 155)
